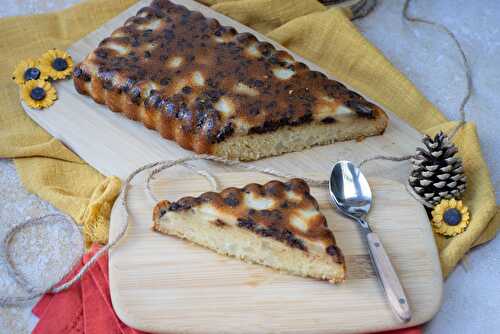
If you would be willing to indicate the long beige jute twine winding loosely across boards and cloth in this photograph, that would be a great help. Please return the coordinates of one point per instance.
(159, 166)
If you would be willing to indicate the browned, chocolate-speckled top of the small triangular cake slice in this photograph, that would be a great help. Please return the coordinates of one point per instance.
(284, 202)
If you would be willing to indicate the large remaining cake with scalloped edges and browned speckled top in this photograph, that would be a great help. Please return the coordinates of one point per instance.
(216, 91)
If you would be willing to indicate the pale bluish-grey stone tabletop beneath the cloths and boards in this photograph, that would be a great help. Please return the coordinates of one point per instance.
(426, 56)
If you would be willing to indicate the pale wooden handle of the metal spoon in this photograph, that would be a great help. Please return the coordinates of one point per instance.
(388, 277)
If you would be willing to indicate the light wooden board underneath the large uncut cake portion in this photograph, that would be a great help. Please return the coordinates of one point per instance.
(115, 145)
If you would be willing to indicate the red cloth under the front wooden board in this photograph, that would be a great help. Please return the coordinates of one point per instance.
(86, 306)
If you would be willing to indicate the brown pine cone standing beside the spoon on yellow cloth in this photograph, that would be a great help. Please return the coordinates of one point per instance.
(436, 173)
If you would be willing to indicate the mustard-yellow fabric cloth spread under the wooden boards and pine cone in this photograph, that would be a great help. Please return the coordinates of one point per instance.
(325, 36)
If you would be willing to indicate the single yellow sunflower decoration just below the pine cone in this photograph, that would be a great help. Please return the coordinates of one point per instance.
(450, 217)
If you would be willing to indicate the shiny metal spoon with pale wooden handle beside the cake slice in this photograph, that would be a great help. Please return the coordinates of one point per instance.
(351, 195)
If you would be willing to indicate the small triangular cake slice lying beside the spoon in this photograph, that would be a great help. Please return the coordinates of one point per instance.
(277, 224)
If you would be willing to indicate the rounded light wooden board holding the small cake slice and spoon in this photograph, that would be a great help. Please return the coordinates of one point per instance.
(160, 283)
